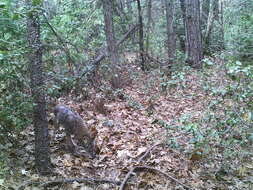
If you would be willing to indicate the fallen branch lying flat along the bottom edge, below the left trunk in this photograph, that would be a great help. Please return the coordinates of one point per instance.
(64, 181)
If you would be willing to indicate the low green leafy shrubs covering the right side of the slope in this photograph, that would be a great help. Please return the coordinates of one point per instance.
(223, 134)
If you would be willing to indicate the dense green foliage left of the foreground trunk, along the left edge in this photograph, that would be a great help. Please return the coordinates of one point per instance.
(14, 92)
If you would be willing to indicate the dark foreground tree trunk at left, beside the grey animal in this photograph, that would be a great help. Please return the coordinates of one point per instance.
(42, 158)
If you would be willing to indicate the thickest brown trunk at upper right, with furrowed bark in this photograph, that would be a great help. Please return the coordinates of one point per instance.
(193, 34)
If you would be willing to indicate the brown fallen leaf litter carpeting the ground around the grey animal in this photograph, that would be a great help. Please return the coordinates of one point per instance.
(124, 135)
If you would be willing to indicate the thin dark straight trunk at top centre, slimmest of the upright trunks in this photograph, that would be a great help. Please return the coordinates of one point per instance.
(141, 39)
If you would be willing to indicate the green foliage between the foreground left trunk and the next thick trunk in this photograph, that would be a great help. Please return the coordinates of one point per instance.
(77, 26)
